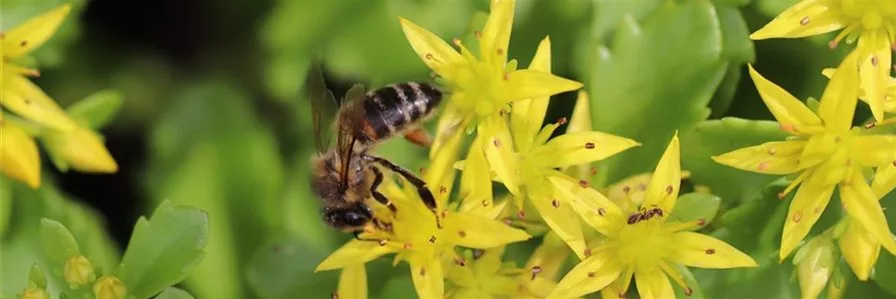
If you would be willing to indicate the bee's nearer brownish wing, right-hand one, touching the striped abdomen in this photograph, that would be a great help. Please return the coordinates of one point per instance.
(351, 121)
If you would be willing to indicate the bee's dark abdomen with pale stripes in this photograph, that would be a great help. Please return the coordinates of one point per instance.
(394, 108)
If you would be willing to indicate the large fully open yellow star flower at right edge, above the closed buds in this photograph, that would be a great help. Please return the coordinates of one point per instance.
(825, 151)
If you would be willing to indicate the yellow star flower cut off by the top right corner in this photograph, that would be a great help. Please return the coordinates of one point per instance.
(873, 22)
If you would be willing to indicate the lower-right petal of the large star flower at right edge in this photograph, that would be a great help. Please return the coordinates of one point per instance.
(862, 206)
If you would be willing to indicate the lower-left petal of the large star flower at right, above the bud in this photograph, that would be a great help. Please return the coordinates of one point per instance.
(808, 204)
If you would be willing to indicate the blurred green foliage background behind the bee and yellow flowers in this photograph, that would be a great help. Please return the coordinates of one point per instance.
(214, 117)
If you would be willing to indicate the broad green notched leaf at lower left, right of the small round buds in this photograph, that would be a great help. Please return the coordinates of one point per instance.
(163, 249)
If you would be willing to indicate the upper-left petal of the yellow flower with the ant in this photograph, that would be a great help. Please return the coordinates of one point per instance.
(598, 211)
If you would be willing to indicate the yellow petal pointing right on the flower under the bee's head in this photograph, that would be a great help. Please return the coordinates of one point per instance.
(475, 231)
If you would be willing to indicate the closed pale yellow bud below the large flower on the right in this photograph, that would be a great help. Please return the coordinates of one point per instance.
(815, 263)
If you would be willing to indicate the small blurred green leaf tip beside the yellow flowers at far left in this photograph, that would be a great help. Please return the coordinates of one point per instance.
(98, 109)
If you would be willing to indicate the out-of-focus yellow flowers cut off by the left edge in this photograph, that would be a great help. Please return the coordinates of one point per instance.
(35, 115)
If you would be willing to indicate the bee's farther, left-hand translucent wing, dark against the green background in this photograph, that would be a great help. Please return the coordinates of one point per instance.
(323, 108)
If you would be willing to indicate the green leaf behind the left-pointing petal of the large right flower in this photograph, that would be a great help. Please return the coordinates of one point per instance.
(715, 137)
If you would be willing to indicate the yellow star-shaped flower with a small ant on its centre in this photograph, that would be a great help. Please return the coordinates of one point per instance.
(642, 243)
